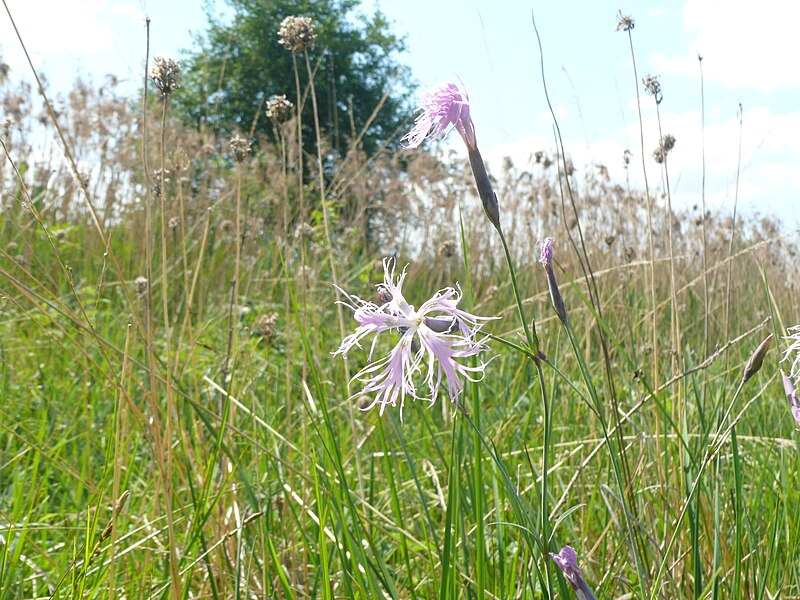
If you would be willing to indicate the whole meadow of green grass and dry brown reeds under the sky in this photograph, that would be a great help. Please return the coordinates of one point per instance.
(174, 422)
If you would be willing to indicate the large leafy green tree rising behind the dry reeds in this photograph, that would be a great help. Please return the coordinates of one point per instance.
(239, 64)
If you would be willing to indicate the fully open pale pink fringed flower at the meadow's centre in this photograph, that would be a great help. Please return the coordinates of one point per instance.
(433, 339)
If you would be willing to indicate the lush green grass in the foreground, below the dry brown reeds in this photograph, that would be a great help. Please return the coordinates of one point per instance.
(276, 495)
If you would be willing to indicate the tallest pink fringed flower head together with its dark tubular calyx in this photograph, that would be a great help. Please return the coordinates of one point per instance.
(446, 107)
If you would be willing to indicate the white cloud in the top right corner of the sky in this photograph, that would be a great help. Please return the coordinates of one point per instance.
(743, 44)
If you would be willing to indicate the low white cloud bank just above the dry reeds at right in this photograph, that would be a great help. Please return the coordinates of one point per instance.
(769, 176)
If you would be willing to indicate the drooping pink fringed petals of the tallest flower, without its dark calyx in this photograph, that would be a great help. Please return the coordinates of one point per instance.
(443, 107)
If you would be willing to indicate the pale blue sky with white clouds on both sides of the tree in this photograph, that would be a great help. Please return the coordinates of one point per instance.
(749, 58)
